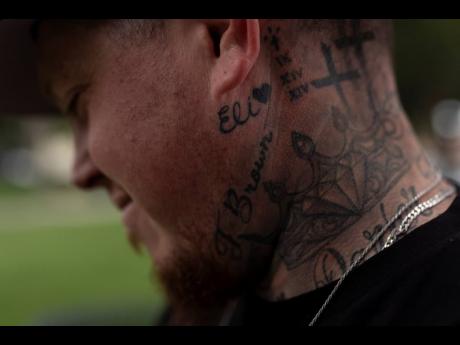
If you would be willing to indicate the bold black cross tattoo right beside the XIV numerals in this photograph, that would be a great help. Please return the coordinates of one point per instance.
(334, 78)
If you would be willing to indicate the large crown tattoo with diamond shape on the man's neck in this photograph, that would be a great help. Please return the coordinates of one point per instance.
(342, 188)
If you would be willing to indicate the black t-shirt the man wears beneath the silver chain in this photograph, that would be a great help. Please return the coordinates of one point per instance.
(416, 281)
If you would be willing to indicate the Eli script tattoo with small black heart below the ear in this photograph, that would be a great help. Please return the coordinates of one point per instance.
(234, 116)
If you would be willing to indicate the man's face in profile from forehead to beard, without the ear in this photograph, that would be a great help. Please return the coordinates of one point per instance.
(146, 130)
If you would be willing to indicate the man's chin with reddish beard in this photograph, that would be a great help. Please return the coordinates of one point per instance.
(193, 275)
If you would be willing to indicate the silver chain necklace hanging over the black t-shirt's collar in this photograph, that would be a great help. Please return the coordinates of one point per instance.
(413, 214)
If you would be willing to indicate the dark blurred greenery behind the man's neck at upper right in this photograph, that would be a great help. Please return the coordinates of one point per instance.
(427, 54)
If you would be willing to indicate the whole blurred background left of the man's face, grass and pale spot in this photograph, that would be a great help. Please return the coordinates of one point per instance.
(64, 257)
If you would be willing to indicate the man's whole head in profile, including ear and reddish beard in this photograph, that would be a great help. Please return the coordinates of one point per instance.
(185, 121)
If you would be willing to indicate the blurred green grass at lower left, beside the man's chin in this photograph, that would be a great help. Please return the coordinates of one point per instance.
(65, 256)
